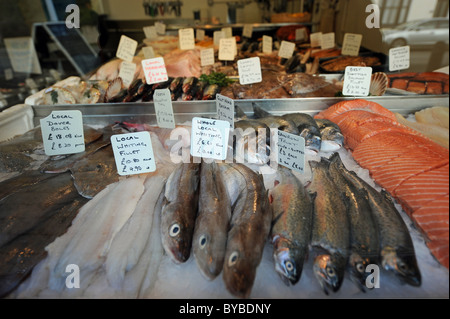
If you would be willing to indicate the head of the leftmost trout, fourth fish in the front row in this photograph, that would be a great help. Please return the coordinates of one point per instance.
(288, 261)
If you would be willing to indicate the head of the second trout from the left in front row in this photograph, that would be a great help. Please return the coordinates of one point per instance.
(328, 272)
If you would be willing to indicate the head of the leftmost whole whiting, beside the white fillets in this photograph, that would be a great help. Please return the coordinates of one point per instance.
(176, 233)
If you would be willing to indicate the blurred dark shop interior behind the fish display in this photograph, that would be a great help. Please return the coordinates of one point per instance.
(423, 25)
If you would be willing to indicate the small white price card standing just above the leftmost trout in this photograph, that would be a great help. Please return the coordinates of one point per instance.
(291, 151)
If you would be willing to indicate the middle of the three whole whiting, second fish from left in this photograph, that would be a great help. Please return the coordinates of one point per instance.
(212, 223)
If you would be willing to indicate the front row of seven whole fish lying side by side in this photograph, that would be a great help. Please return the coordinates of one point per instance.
(224, 214)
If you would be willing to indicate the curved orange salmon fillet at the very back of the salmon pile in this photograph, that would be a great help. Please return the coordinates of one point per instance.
(357, 104)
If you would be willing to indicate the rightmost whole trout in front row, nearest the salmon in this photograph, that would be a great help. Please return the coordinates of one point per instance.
(396, 246)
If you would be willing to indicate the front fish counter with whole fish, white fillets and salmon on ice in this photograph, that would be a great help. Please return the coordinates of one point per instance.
(161, 235)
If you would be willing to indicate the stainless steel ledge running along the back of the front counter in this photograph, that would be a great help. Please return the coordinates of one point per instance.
(138, 112)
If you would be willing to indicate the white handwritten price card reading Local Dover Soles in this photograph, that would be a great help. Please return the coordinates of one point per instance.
(62, 133)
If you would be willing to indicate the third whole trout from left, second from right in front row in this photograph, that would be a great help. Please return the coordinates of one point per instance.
(363, 229)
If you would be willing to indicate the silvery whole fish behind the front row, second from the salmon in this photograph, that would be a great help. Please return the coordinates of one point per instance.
(307, 129)
